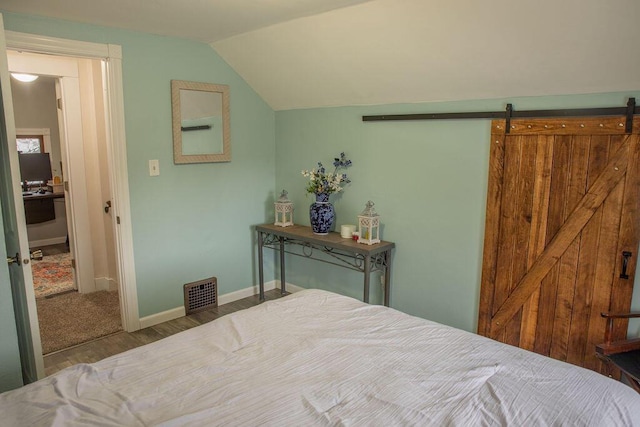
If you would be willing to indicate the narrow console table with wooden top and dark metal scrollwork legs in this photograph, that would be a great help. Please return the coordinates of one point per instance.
(331, 249)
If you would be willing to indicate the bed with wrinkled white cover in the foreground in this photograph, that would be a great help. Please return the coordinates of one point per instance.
(317, 358)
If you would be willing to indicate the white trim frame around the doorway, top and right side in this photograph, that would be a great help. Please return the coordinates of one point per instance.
(117, 156)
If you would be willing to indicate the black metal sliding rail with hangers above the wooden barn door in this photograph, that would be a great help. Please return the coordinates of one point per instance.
(629, 111)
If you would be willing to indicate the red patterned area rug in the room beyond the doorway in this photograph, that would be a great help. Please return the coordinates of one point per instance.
(52, 274)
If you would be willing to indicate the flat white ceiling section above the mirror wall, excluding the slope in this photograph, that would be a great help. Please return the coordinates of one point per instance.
(202, 20)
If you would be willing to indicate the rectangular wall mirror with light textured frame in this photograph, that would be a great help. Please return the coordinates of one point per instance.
(201, 124)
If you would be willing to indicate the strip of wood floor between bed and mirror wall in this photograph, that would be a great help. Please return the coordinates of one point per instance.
(122, 341)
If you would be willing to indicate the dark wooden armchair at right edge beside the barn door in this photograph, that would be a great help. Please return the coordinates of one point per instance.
(624, 354)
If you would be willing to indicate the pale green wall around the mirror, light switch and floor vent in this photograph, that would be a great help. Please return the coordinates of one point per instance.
(192, 221)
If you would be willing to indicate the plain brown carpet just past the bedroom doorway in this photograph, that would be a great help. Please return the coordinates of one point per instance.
(72, 318)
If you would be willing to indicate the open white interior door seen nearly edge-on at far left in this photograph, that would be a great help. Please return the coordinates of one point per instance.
(15, 232)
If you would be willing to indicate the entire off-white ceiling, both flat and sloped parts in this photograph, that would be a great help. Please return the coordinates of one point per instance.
(316, 53)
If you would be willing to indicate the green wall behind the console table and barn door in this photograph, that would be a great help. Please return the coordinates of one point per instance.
(428, 180)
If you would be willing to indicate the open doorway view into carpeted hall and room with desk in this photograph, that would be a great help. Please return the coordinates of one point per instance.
(68, 230)
